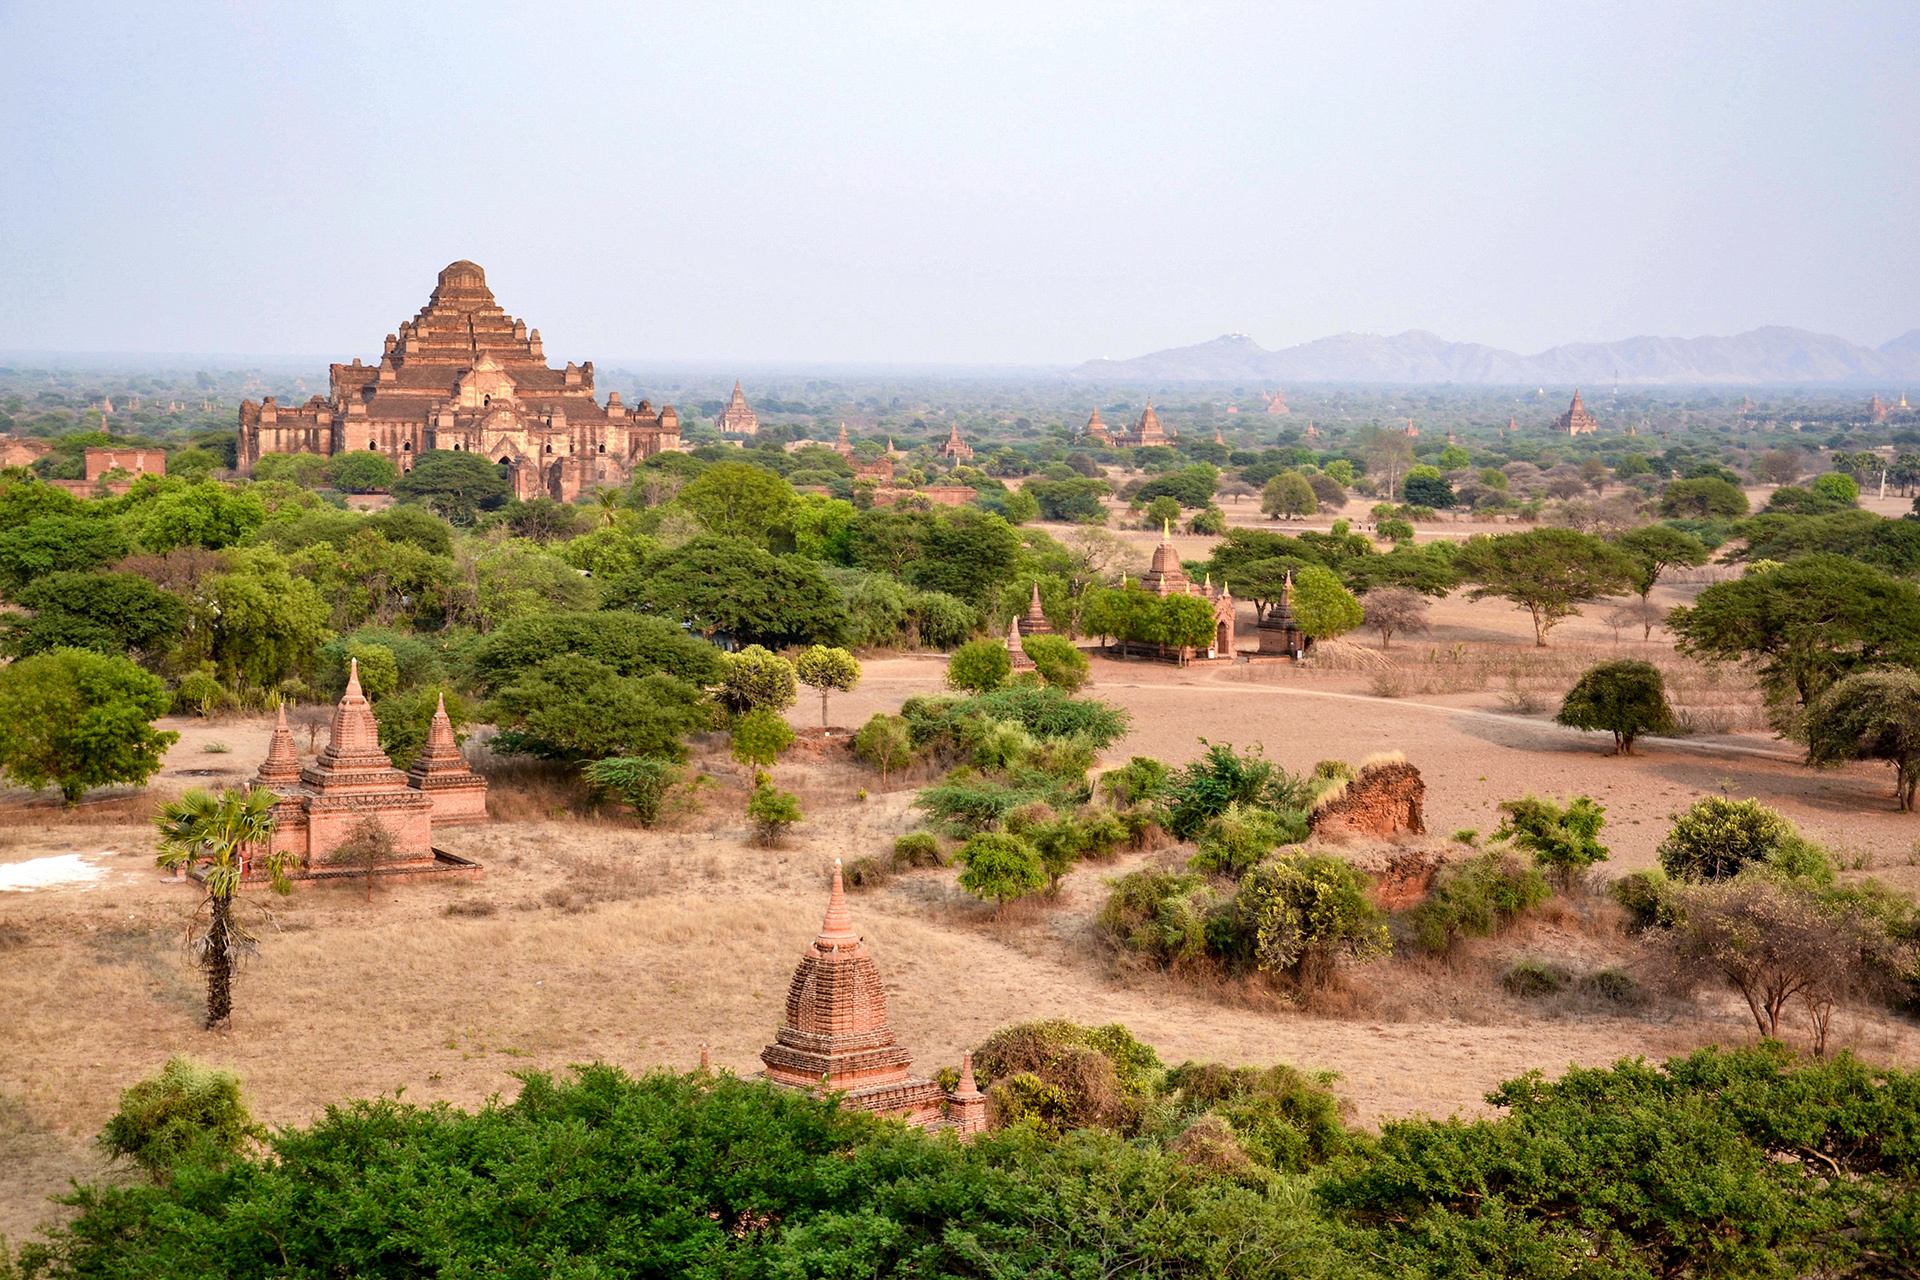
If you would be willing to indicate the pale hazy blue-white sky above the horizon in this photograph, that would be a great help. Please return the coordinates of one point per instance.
(971, 183)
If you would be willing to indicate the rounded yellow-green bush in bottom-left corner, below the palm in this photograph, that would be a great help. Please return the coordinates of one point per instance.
(187, 1114)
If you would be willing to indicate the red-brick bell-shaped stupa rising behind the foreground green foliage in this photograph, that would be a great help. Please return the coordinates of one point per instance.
(836, 1035)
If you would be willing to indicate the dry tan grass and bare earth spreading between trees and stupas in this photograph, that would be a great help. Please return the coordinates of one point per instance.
(590, 937)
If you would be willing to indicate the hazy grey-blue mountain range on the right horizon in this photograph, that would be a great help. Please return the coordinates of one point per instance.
(1771, 354)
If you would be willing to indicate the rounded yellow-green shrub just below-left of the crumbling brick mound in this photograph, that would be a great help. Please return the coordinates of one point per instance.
(1301, 913)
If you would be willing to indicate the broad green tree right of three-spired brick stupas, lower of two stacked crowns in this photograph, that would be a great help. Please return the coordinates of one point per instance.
(581, 709)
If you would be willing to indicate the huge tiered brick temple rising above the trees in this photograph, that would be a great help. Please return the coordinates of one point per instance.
(466, 375)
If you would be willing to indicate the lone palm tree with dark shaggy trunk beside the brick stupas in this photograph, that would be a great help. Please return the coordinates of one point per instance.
(210, 832)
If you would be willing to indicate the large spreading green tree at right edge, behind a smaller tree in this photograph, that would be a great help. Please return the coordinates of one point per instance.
(1806, 623)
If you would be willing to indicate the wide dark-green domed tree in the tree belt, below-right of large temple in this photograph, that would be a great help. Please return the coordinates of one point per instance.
(731, 586)
